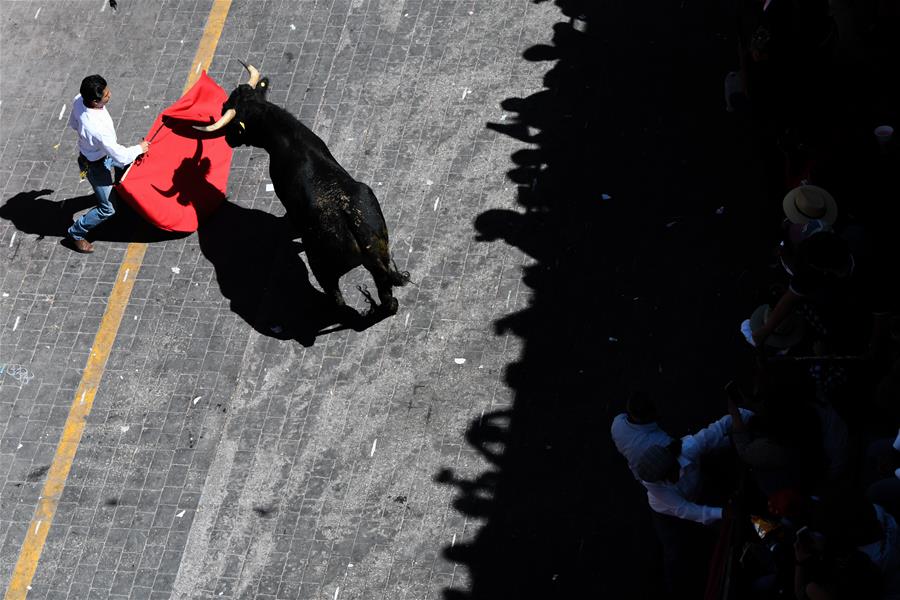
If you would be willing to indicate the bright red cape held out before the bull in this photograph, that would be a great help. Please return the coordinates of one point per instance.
(182, 179)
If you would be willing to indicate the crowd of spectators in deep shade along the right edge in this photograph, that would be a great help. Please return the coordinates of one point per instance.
(795, 492)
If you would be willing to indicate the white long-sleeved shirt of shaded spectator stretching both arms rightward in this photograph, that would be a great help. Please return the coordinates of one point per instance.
(677, 499)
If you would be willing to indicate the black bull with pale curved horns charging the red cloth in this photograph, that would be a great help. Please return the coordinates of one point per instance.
(339, 218)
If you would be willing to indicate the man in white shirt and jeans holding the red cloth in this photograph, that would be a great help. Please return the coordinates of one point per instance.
(99, 153)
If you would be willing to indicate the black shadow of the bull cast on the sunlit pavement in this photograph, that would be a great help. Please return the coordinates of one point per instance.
(259, 270)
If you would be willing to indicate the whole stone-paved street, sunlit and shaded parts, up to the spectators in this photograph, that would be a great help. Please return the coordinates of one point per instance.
(178, 420)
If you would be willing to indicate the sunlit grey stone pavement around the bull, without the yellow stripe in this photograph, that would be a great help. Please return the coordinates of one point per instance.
(219, 461)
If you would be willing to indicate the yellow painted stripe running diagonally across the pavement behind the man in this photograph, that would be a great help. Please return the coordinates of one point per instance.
(40, 524)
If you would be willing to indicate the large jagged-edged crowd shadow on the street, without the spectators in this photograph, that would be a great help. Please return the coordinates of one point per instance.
(627, 206)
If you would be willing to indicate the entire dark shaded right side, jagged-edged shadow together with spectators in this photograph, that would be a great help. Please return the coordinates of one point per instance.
(708, 193)
